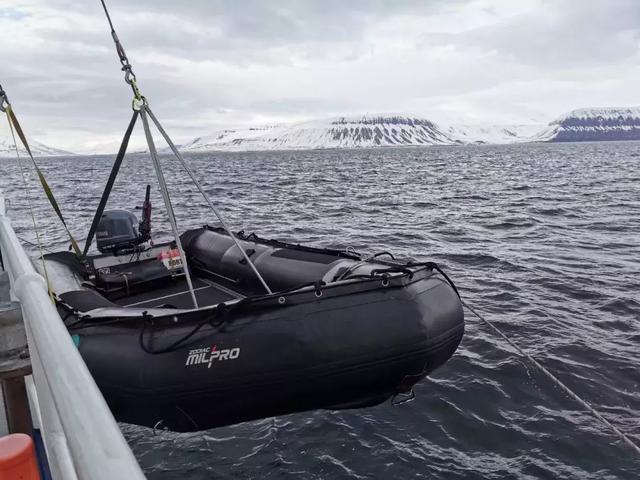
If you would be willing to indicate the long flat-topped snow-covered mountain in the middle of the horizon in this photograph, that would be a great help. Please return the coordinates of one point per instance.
(359, 131)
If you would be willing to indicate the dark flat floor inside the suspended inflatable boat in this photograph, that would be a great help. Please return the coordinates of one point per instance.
(177, 295)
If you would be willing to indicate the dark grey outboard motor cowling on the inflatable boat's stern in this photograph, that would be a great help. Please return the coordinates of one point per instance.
(118, 229)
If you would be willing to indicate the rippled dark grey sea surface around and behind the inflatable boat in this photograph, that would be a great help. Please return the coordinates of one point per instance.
(542, 239)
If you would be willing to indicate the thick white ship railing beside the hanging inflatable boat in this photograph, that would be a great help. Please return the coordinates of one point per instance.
(81, 437)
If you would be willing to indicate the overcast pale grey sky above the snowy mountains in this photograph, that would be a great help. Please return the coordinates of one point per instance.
(207, 64)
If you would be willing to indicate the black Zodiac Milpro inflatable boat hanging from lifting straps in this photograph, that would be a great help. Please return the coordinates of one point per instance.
(340, 330)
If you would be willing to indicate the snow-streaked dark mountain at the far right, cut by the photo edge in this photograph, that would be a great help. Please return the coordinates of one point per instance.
(594, 124)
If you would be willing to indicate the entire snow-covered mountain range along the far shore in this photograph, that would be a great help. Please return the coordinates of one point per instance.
(385, 130)
